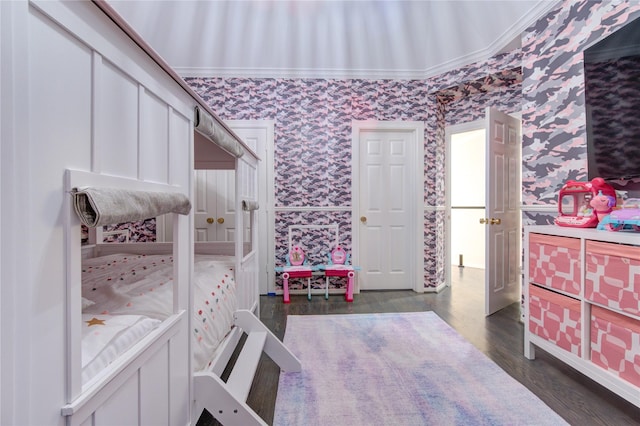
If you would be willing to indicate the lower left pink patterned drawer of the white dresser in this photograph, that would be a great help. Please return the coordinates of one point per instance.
(555, 318)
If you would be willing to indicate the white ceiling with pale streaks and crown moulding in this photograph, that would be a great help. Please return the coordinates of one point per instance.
(330, 39)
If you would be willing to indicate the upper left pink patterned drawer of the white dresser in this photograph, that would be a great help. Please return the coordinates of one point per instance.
(554, 262)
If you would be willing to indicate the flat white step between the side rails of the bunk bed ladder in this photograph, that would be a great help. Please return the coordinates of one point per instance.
(244, 370)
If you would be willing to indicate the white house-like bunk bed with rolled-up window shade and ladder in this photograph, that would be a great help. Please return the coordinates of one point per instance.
(114, 120)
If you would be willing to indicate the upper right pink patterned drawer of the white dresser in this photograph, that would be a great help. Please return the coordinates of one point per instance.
(612, 276)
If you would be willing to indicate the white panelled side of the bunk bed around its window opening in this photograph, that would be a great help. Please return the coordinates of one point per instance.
(86, 98)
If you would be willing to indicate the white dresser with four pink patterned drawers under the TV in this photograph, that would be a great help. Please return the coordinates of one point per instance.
(582, 302)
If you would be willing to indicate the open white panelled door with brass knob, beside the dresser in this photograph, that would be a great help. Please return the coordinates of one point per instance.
(502, 220)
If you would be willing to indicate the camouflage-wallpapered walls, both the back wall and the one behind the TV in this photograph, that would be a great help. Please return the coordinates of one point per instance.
(313, 122)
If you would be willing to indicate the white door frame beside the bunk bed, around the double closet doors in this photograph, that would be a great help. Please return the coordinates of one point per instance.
(265, 214)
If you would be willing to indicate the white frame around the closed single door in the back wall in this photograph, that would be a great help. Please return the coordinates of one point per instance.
(416, 203)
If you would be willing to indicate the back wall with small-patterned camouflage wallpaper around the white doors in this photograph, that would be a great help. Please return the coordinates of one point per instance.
(313, 136)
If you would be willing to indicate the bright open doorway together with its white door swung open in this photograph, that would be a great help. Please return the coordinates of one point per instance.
(499, 221)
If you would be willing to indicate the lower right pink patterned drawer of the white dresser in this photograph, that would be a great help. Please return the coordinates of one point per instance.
(615, 344)
